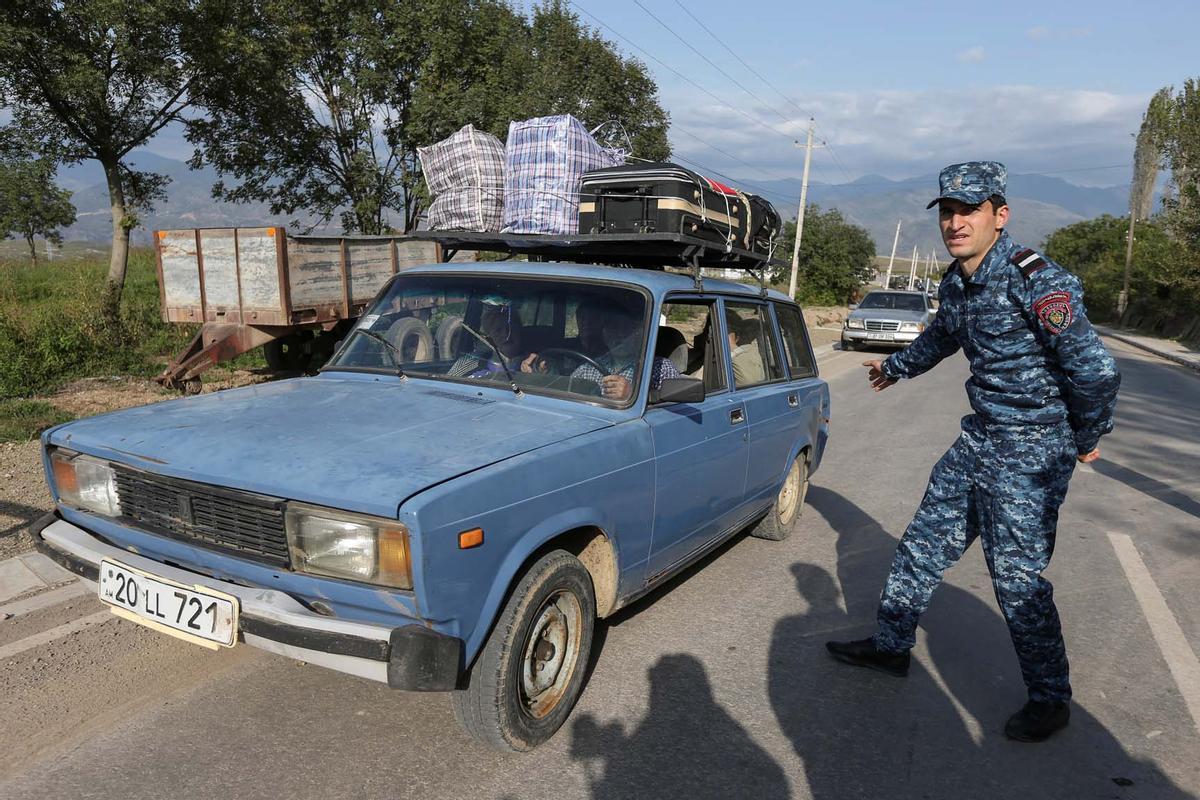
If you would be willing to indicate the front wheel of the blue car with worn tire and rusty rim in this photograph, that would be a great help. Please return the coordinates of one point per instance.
(496, 708)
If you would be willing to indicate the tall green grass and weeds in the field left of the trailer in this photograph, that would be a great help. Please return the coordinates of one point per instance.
(51, 328)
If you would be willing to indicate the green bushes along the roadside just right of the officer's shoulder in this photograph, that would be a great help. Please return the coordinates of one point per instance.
(1095, 250)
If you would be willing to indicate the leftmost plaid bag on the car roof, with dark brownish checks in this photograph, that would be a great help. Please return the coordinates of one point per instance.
(466, 177)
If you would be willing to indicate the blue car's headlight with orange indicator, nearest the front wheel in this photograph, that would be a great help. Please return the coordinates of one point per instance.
(344, 545)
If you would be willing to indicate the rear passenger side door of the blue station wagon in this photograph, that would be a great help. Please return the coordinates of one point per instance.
(760, 382)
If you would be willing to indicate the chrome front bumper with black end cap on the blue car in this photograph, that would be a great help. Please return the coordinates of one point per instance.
(411, 657)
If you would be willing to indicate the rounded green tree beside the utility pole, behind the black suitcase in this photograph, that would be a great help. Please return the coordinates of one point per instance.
(836, 257)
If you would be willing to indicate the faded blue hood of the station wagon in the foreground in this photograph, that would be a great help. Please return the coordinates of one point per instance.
(347, 442)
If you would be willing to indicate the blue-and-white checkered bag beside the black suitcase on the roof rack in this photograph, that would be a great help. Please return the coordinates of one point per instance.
(545, 161)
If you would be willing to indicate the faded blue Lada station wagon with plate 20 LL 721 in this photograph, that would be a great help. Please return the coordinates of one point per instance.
(497, 456)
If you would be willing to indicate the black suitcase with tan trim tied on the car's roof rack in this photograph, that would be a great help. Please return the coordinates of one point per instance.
(663, 199)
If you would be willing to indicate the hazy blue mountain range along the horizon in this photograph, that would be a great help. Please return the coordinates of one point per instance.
(1041, 204)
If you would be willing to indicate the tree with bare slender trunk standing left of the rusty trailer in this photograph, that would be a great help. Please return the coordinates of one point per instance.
(95, 80)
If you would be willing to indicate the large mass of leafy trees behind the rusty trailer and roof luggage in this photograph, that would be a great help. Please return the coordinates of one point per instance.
(320, 105)
